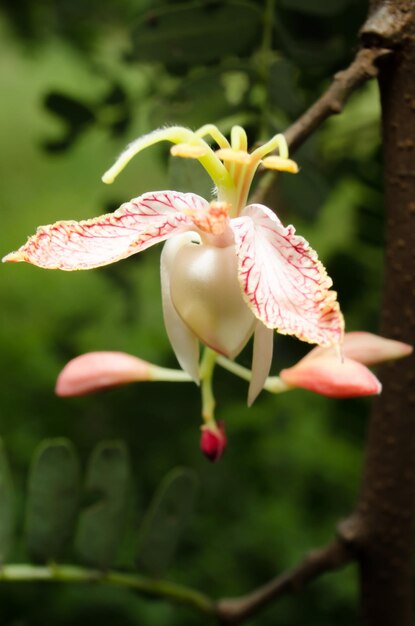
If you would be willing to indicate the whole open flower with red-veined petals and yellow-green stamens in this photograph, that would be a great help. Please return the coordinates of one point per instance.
(229, 270)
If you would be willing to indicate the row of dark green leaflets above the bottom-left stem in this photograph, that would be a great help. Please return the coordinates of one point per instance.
(54, 508)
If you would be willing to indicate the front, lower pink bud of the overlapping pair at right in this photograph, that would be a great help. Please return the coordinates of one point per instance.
(331, 377)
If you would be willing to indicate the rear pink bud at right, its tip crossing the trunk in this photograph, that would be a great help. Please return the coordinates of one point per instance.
(367, 348)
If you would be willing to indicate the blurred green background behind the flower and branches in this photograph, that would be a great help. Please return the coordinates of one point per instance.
(80, 80)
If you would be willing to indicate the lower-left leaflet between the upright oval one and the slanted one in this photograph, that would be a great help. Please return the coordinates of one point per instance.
(100, 524)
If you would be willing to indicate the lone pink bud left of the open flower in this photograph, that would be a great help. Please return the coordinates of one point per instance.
(96, 371)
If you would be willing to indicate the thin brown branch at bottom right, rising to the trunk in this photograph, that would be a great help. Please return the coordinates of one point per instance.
(331, 557)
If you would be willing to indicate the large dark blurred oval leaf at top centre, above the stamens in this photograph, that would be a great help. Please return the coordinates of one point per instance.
(184, 35)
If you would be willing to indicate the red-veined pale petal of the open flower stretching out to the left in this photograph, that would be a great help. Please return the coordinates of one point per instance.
(135, 226)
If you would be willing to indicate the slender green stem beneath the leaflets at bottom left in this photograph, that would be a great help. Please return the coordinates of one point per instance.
(73, 574)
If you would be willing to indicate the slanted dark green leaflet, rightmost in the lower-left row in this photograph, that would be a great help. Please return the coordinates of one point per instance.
(166, 520)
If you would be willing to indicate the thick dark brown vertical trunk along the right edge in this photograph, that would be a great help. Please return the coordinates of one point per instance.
(384, 522)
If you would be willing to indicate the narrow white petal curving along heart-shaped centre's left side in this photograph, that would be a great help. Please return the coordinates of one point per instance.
(183, 341)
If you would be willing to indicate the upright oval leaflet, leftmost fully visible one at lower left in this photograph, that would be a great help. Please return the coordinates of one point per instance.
(53, 498)
